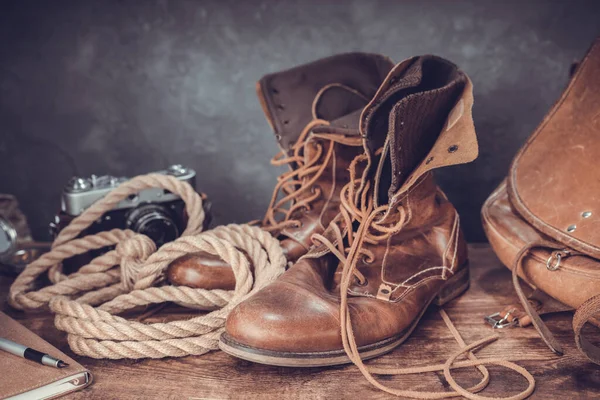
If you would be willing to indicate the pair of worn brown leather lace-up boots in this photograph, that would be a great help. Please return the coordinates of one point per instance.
(373, 239)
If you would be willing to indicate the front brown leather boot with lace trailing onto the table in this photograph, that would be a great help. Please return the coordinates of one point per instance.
(396, 245)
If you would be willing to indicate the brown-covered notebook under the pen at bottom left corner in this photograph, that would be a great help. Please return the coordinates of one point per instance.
(23, 379)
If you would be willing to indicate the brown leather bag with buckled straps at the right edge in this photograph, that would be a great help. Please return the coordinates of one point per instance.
(543, 221)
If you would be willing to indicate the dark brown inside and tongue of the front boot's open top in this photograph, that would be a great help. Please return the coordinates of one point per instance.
(427, 82)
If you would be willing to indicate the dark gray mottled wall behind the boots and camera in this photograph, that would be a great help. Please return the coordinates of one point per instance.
(127, 87)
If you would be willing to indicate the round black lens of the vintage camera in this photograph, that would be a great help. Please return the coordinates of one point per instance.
(154, 221)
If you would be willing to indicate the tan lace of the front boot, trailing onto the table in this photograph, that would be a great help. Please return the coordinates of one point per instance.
(376, 224)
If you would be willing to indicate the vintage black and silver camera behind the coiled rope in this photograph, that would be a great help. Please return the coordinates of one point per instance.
(154, 212)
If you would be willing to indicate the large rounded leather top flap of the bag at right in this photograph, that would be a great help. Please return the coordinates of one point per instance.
(549, 181)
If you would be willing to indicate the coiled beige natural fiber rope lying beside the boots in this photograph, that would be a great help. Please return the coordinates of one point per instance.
(126, 277)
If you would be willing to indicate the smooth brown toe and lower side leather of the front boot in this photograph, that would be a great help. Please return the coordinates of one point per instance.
(302, 313)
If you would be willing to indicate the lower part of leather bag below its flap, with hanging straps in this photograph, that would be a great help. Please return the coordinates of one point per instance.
(518, 244)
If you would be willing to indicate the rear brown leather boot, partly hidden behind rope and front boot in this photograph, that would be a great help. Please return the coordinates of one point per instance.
(314, 110)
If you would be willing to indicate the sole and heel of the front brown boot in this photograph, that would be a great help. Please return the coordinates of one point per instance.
(455, 286)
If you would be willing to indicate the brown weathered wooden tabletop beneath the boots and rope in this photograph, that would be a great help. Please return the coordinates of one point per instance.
(219, 376)
